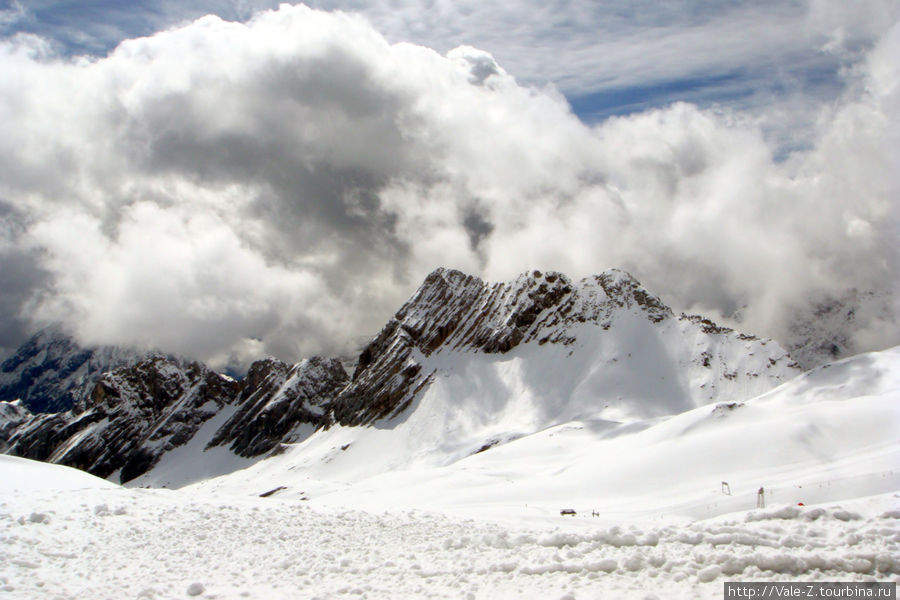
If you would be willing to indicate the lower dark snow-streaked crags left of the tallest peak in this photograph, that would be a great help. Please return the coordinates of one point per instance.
(137, 414)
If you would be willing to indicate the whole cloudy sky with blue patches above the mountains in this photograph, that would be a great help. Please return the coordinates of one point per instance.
(278, 180)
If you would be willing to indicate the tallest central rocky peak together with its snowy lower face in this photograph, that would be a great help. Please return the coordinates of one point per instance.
(466, 365)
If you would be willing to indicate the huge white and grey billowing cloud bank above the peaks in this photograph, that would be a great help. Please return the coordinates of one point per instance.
(225, 190)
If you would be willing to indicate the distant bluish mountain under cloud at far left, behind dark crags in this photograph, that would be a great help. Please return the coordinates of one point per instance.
(51, 372)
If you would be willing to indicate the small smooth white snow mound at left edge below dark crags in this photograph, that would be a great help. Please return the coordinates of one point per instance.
(19, 475)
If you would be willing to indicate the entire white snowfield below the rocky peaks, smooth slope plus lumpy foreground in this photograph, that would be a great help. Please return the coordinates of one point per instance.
(671, 503)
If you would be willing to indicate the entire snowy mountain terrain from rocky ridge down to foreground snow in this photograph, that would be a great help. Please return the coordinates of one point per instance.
(537, 439)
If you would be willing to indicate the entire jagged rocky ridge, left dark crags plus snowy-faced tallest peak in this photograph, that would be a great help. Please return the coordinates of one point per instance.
(607, 334)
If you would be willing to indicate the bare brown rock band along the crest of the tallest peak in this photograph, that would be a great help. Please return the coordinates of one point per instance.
(455, 312)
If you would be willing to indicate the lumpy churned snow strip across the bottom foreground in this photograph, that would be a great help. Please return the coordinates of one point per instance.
(153, 544)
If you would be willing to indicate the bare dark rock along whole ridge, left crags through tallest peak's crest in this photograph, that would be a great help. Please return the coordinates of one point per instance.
(137, 412)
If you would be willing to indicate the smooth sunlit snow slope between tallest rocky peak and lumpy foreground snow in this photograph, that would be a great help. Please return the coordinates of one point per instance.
(828, 435)
